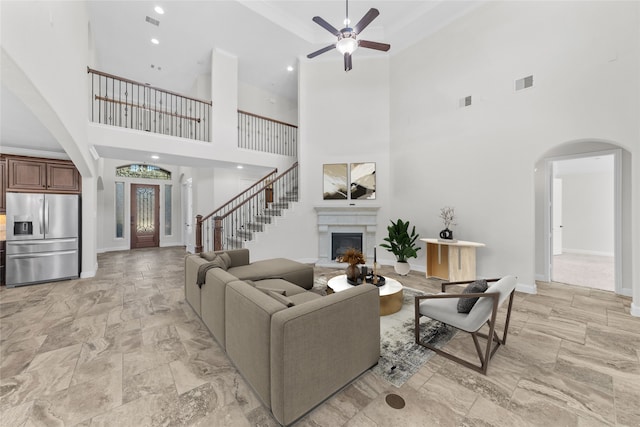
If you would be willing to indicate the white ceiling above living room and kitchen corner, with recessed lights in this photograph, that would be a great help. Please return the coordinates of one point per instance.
(265, 35)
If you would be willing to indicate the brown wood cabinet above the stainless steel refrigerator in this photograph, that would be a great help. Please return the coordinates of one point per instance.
(27, 174)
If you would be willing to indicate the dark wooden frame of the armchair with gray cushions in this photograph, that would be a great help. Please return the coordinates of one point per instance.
(488, 354)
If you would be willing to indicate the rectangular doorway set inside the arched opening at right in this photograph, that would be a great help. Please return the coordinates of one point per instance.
(583, 221)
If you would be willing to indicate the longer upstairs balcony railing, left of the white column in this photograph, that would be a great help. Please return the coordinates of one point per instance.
(117, 101)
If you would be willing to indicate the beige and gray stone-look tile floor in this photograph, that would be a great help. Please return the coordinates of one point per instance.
(124, 349)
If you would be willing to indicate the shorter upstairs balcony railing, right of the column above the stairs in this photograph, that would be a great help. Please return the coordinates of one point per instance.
(267, 135)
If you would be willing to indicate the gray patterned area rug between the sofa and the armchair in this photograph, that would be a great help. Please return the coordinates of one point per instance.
(400, 356)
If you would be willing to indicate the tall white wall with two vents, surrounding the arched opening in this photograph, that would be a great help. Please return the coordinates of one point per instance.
(481, 159)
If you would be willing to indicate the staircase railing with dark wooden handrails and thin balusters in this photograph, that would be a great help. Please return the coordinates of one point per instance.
(230, 225)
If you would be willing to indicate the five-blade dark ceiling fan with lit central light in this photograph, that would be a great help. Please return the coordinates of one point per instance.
(347, 37)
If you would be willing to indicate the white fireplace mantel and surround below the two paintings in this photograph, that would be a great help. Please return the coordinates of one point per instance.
(345, 219)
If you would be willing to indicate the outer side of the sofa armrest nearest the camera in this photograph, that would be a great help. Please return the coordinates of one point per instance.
(320, 346)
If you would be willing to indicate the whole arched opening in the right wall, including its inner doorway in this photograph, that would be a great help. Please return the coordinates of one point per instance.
(600, 211)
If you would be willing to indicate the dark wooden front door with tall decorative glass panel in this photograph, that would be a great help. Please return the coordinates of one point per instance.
(145, 216)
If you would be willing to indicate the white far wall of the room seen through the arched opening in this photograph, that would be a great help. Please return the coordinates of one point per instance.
(587, 213)
